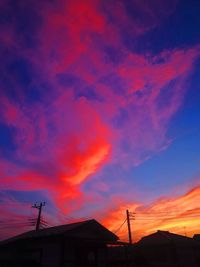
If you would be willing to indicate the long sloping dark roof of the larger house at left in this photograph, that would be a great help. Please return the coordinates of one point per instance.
(89, 229)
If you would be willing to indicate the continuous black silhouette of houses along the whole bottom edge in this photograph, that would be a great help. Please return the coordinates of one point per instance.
(88, 243)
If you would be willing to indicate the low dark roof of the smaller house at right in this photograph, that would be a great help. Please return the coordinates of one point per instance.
(165, 237)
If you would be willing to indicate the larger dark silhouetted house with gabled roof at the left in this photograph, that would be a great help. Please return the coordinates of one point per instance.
(77, 244)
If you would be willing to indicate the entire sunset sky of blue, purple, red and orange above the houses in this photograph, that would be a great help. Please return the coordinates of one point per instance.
(100, 113)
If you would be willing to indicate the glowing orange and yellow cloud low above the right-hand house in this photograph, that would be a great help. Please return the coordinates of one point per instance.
(176, 214)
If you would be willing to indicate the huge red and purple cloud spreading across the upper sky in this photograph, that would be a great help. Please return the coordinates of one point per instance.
(65, 138)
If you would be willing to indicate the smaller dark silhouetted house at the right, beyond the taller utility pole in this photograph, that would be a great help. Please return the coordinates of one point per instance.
(167, 249)
